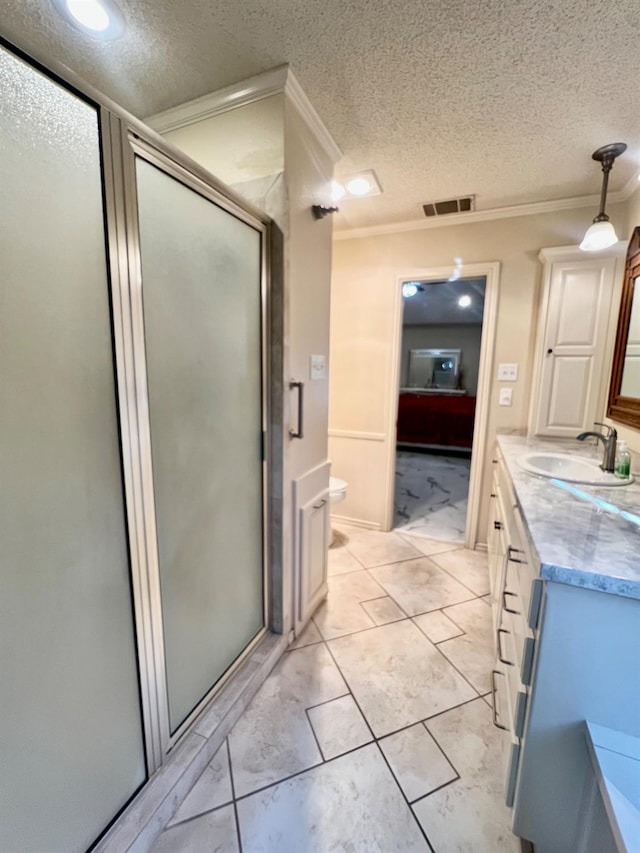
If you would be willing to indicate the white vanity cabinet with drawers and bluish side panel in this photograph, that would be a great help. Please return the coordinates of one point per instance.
(564, 654)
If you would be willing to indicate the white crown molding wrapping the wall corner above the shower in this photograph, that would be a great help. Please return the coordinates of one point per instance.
(280, 80)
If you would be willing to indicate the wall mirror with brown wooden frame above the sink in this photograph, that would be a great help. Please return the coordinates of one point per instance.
(624, 391)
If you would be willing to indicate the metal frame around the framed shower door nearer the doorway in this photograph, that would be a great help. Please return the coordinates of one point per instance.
(123, 141)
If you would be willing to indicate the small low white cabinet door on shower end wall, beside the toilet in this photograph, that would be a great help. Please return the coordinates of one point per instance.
(314, 540)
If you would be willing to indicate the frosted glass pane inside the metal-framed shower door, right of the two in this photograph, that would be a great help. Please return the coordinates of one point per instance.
(202, 297)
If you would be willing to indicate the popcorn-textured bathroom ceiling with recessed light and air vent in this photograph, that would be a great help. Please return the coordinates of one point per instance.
(505, 99)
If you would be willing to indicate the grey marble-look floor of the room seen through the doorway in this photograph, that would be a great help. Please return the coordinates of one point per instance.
(431, 494)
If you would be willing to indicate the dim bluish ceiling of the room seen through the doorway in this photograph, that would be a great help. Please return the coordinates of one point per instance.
(437, 303)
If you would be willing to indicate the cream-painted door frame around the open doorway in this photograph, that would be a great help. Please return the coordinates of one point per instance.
(491, 272)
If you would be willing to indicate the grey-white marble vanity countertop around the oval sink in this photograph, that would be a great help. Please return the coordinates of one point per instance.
(584, 536)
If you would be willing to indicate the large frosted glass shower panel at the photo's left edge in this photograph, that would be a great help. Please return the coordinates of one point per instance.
(71, 744)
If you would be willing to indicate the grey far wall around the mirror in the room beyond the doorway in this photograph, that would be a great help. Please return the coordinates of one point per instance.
(465, 337)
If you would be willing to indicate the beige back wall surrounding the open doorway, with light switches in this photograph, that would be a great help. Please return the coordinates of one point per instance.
(365, 276)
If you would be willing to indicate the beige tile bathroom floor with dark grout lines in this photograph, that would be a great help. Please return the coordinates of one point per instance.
(374, 732)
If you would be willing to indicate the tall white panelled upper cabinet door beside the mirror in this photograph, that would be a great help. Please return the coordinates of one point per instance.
(576, 307)
